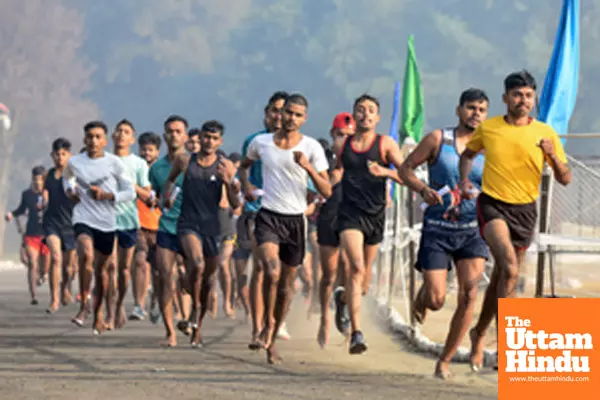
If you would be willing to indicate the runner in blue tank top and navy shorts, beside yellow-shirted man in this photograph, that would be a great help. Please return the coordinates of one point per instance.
(449, 230)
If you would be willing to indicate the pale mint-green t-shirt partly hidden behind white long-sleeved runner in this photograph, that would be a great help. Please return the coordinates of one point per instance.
(127, 213)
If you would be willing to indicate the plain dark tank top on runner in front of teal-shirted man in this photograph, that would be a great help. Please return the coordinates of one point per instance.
(202, 189)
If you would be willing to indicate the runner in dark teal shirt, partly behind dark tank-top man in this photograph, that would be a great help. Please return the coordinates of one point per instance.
(167, 244)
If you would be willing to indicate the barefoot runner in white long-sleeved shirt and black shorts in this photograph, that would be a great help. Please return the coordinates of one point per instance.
(96, 181)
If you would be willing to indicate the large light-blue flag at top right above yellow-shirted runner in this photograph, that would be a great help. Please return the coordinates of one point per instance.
(560, 87)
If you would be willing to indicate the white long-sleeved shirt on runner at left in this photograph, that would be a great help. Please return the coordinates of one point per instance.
(107, 172)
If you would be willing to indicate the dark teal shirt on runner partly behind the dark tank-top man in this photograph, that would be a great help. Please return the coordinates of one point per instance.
(159, 172)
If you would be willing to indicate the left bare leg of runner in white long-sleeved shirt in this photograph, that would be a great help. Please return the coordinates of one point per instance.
(85, 252)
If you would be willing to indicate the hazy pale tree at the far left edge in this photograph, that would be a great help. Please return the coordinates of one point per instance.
(44, 81)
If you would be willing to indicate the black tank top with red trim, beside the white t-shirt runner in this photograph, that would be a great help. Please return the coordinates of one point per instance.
(361, 191)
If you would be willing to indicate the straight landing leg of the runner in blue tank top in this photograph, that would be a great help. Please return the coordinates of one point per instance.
(468, 273)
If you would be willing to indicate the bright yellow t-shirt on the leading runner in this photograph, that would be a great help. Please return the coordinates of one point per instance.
(513, 167)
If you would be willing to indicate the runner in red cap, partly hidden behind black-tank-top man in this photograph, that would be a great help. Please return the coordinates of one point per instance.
(328, 239)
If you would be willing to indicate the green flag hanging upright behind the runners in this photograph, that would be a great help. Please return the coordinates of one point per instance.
(413, 117)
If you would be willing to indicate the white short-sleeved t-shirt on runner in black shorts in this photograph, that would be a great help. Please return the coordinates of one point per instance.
(285, 183)
